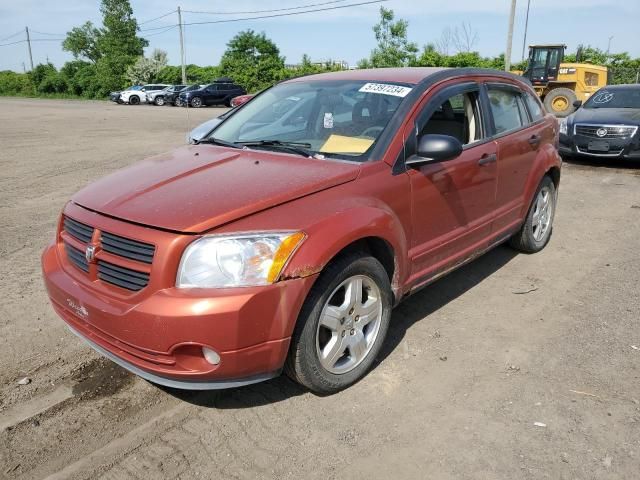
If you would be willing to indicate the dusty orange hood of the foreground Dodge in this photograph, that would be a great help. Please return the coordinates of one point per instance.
(200, 187)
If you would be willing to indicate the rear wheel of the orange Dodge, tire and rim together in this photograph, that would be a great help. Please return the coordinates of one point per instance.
(533, 236)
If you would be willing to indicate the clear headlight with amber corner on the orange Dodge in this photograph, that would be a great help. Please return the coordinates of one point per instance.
(239, 260)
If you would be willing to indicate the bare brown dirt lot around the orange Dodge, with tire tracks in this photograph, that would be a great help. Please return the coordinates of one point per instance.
(472, 362)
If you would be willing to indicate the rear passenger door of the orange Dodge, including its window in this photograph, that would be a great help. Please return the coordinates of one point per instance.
(518, 140)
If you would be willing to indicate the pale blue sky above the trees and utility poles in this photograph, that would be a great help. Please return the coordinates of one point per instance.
(343, 34)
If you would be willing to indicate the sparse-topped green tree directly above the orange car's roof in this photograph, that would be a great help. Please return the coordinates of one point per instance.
(394, 49)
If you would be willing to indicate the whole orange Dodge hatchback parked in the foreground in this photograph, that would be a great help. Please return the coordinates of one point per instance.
(284, 238)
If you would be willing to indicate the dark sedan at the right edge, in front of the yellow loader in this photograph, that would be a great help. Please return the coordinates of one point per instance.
(606, 126)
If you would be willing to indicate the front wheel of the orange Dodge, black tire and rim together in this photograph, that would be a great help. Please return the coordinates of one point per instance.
(358, 335)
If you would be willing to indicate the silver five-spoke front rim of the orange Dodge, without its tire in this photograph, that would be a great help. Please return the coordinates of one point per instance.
(349, 324)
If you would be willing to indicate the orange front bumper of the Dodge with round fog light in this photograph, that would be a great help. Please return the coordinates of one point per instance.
(159, 334)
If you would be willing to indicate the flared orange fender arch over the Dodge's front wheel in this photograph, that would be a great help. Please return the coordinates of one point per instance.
(328, 237)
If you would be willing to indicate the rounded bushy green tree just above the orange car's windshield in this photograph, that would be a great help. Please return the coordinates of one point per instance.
(252, 60)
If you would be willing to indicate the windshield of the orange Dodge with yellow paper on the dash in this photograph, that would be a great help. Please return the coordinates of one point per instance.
(342, 119)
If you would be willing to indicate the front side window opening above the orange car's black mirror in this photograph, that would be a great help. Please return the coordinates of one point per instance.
(458, 116)
